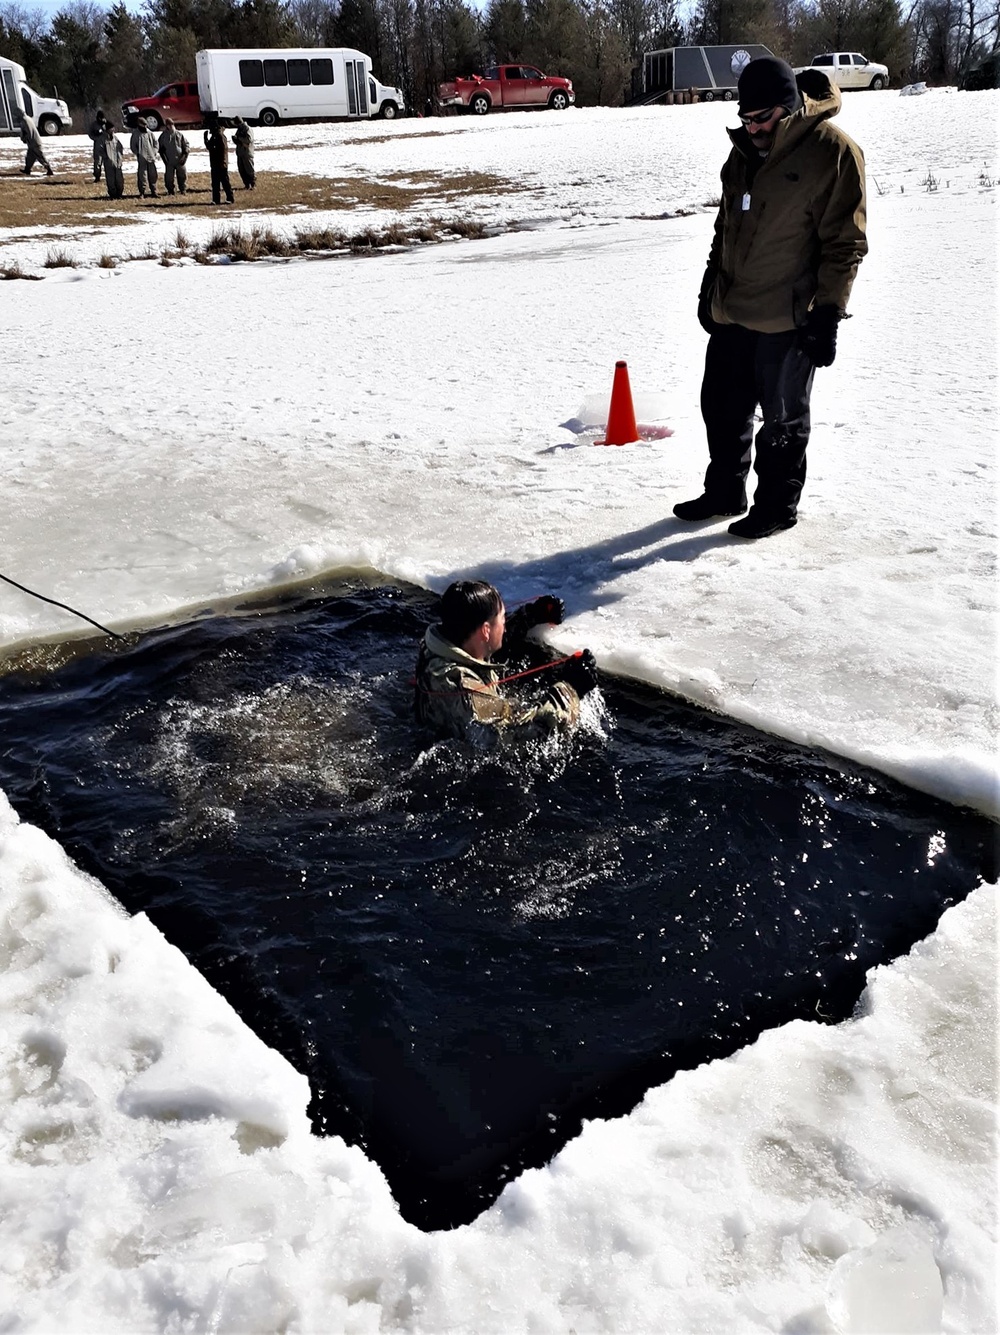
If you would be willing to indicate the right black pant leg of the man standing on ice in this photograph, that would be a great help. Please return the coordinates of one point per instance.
(784, 378)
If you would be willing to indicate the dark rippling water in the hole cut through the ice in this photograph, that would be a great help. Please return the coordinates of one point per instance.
(467, 951)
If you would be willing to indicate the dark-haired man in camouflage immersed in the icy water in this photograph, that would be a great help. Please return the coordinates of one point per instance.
(457, 688)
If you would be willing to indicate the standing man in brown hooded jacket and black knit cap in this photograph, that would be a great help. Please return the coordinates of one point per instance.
(790, 237)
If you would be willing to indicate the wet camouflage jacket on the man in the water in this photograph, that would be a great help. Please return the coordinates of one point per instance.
(457, 695)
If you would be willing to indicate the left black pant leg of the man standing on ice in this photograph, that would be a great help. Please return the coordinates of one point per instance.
(728, 401)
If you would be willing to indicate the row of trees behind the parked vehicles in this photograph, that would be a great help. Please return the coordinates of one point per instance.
(102, 57)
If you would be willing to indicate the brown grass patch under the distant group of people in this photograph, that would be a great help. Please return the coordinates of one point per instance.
(73, 200)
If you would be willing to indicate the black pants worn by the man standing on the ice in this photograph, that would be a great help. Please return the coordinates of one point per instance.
(746, 369)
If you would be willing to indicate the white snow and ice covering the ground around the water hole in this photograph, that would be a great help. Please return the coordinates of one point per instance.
(174, 437)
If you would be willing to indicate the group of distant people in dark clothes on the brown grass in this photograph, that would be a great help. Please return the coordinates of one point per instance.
(172, 149)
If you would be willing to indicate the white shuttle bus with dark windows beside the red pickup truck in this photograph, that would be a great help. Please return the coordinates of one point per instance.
(288, 83)
